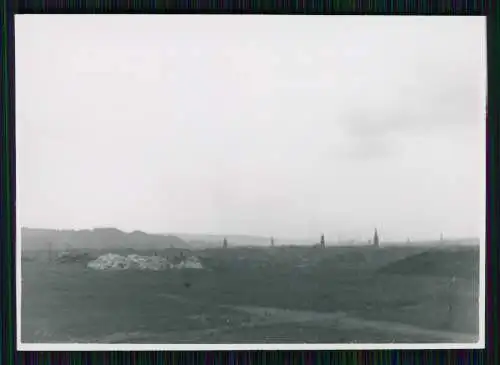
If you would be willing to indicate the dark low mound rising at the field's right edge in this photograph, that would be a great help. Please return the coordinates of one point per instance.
(461, 263)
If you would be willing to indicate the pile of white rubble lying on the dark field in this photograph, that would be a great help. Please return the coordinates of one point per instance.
(112, 261)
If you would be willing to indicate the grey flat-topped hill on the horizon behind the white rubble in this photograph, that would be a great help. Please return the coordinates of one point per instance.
(99, 238)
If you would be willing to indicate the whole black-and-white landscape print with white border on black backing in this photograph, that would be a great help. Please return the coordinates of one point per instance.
(250, 181)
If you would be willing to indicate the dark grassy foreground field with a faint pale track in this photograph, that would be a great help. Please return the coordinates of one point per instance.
(261, 295)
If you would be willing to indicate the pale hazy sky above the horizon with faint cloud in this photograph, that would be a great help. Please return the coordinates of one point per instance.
(269, 125)
